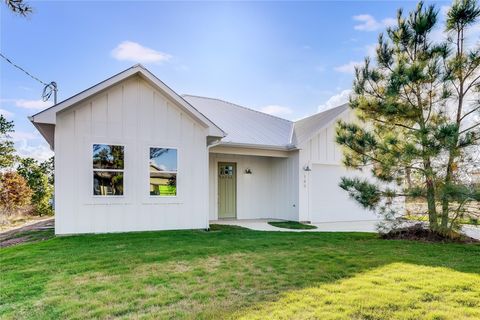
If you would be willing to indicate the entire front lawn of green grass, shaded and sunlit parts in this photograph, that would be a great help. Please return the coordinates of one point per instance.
(236, 273)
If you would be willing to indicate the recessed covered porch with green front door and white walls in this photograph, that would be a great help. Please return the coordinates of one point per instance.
(249, 183)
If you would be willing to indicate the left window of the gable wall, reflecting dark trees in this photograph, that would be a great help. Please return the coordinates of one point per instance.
(108, 170)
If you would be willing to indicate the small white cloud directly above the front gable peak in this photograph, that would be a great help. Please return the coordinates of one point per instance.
(133, 51)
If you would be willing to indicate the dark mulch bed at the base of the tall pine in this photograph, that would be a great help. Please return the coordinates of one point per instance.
(419, 233)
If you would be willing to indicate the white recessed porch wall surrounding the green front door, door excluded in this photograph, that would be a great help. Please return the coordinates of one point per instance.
(270, 191)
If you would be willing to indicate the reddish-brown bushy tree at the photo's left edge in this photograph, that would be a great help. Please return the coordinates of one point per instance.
(14, 193)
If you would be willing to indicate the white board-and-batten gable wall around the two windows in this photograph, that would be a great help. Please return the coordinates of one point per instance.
(137, 116)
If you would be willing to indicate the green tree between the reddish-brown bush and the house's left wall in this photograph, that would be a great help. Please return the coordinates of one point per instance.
(37, 180)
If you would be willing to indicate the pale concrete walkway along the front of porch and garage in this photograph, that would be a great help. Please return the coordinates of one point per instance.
(262, 225)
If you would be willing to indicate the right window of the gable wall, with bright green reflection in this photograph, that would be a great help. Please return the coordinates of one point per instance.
(163, 172)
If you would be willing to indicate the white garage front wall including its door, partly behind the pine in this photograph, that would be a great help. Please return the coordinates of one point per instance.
(319, 151)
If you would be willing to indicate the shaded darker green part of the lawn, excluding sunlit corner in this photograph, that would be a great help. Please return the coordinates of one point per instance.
(199, 274)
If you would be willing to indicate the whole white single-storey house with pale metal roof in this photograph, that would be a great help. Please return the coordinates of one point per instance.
(131, 155)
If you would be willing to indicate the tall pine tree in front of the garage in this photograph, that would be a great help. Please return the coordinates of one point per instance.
(408, 133)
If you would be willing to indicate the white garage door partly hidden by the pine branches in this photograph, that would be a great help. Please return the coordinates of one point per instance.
(329, 202)
